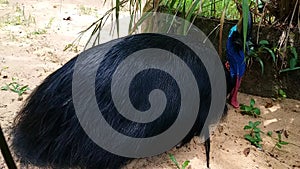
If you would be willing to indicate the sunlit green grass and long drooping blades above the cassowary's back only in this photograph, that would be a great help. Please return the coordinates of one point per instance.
(187, 9)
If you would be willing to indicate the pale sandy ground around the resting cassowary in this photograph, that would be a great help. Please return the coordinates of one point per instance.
(31, 49)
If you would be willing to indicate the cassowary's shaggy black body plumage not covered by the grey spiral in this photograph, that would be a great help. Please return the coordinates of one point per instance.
(47, 131)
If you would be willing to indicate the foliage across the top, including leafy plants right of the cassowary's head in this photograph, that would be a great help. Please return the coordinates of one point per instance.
(189, 10)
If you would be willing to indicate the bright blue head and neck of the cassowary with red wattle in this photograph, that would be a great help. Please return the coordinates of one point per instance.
(236, 57)
